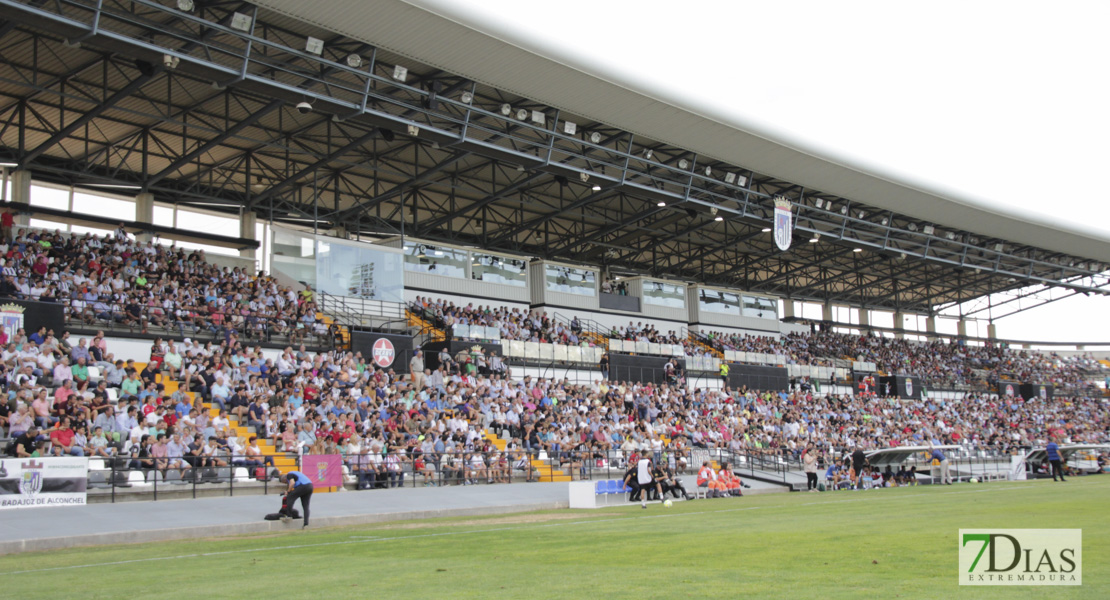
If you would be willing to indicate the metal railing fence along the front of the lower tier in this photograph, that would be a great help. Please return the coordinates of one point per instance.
(124, 477)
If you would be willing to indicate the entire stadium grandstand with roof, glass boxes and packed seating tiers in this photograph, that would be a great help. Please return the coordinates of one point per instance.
(230, 228)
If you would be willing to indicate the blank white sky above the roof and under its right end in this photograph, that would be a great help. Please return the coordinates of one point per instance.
(995, 101)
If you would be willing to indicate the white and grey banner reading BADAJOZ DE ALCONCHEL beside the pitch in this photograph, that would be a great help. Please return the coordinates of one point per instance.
(27, 483)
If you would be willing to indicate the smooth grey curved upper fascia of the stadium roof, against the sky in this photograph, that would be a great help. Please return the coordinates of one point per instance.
(500, 58)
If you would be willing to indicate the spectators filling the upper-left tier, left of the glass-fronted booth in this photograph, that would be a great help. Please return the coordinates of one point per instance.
(116, 280)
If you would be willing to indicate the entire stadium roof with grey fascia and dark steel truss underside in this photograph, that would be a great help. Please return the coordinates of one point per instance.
(469, 144)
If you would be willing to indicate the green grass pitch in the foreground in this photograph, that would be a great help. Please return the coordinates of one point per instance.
(877, 544)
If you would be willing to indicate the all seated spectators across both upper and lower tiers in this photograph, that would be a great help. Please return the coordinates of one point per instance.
(338, 402)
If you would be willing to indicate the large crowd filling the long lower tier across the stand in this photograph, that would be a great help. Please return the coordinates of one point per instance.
(338, 403)
